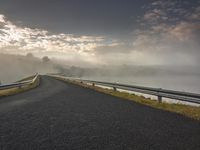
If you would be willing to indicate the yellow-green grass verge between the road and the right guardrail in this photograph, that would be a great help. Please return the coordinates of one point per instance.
(186, 110)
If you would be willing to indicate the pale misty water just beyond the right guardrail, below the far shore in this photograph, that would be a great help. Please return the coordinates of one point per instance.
(190, 83)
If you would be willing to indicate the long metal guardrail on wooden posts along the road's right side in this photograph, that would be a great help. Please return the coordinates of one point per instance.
(176, 95)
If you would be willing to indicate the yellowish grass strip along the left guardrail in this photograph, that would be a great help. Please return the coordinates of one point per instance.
(16, 90)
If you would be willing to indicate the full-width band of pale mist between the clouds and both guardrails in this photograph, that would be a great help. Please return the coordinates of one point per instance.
(182, 78)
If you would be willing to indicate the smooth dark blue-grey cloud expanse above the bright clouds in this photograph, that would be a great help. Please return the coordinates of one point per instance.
(92, 17)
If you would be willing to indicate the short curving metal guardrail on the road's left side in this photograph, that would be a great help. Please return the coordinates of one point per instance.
(19, 84)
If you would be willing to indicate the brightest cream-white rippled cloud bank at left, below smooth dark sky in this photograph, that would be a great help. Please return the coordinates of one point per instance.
(16, 39)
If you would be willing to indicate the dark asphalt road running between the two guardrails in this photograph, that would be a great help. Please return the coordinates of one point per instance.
(57, 115)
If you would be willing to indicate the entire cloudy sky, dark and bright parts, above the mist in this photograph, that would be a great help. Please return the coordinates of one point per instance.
(103, 32)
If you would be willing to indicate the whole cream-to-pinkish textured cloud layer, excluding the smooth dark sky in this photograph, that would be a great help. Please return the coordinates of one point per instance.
(168, 32)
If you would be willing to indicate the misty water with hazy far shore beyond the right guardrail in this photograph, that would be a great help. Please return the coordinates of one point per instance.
(181, 78)
